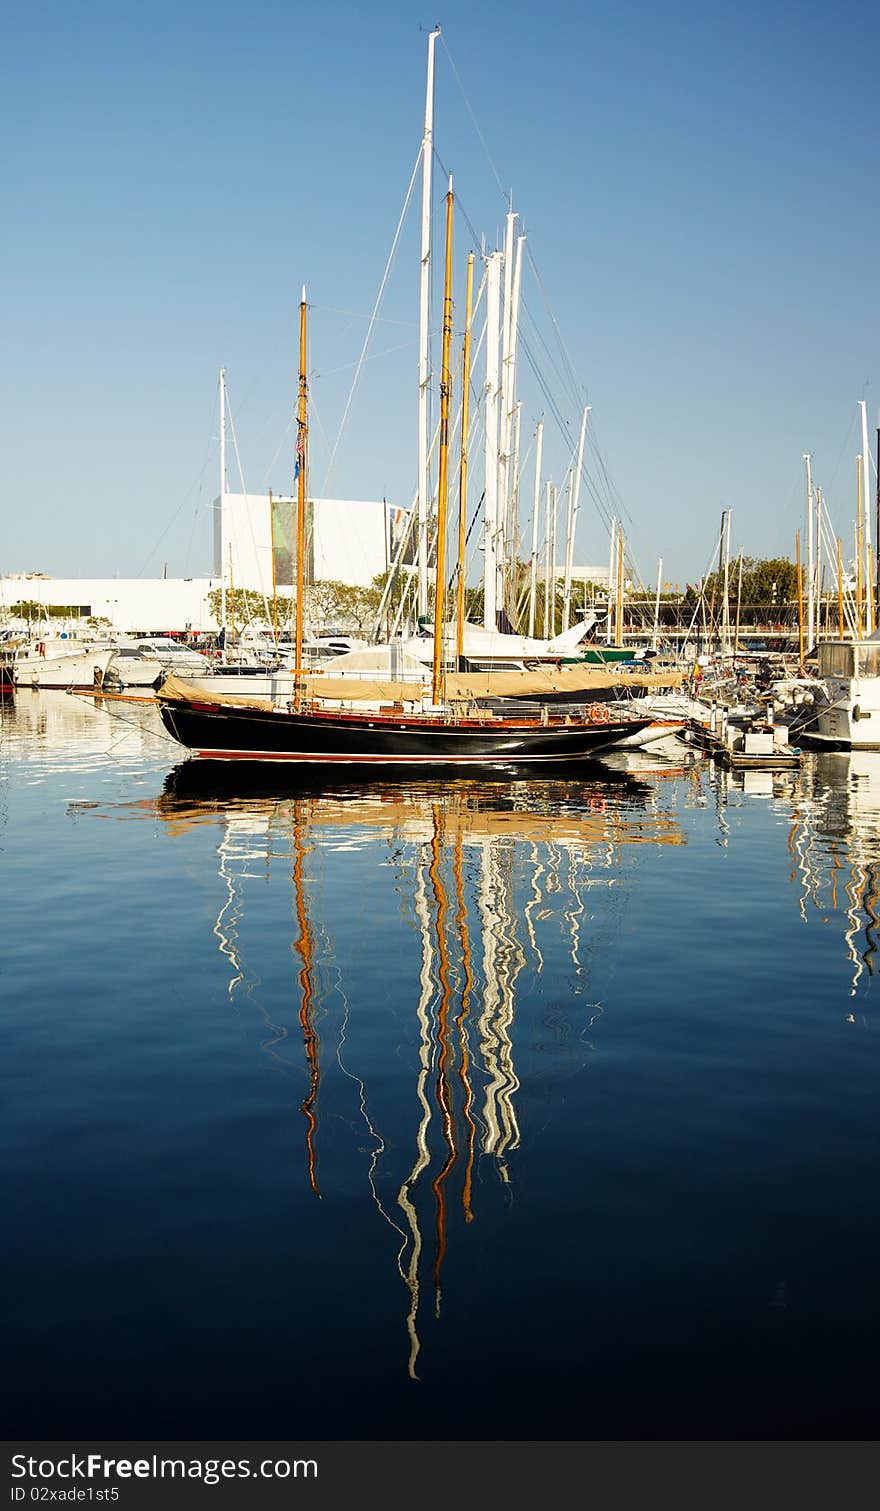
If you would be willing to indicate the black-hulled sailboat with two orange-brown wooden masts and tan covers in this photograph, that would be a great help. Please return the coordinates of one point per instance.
(412, 726)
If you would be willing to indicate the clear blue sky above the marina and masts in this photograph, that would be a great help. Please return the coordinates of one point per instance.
(696, 184)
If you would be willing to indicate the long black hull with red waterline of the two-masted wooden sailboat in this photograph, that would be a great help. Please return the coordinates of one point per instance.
(234, 734)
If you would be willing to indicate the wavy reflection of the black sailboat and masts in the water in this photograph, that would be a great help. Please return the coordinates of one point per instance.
(492, 877)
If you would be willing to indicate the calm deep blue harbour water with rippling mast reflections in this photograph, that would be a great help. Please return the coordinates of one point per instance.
(471, 1110)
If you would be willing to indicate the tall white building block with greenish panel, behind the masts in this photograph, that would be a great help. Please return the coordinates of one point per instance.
(349, 540)
